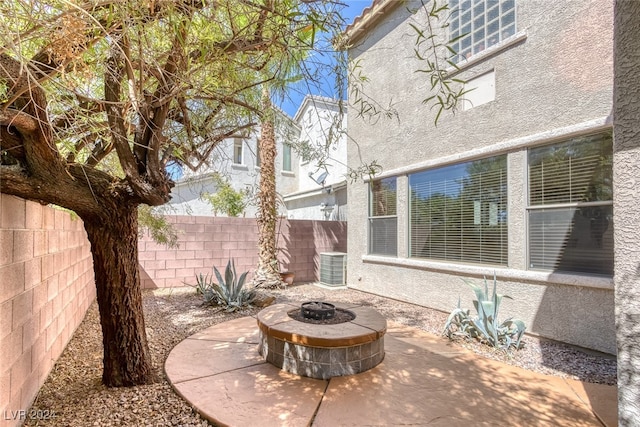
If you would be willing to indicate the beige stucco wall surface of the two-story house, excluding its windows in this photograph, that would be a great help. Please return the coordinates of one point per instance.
(553, 80)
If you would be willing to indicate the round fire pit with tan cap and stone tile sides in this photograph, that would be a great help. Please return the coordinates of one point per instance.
(320, 350)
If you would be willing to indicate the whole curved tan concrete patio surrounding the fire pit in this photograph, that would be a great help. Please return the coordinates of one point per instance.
(422, 380)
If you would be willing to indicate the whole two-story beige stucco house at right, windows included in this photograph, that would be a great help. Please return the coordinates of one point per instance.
(516, 183)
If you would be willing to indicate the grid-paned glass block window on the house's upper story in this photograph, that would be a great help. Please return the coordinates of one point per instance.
(480, 24)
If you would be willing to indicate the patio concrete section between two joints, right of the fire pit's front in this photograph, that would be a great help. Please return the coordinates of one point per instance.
(411, 388)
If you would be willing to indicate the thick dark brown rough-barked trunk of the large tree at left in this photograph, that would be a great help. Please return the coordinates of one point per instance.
(114, 246)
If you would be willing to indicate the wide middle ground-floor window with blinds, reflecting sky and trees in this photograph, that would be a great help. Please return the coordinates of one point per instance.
(459, 212)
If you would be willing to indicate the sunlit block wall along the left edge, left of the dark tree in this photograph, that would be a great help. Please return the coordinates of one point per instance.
(47, 285)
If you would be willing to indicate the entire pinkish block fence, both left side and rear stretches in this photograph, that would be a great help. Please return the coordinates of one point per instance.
(47, 282)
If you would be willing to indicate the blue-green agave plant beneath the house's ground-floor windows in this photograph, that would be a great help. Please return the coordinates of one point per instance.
(485, 326)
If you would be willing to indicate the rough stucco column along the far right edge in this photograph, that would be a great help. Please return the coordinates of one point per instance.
(626, 176)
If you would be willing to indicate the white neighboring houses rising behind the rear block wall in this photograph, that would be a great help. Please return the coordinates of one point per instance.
(304, 193)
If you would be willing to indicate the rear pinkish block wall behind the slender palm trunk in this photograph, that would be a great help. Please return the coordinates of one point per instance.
(205, 242)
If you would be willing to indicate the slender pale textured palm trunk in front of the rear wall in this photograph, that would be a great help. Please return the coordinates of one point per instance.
(268, 272)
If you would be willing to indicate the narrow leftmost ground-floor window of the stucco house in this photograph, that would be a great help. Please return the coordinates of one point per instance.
(383, 222)
